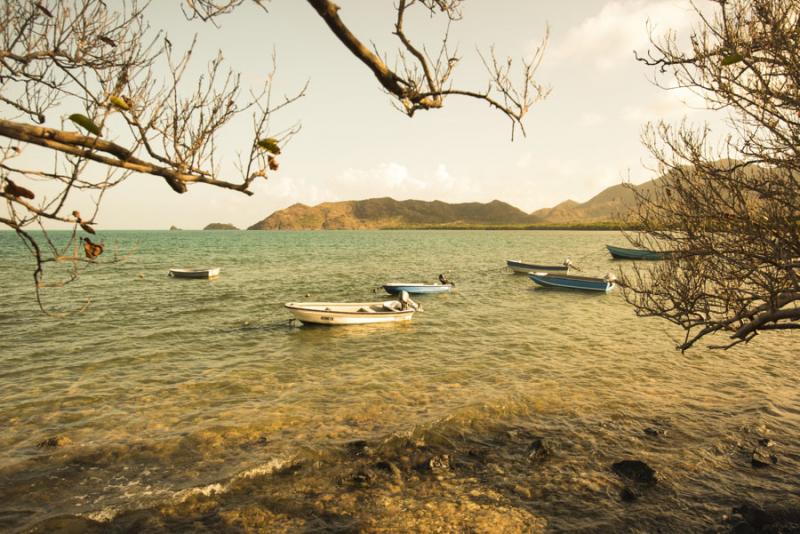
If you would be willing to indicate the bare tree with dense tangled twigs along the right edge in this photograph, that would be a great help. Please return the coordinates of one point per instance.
(727, 214)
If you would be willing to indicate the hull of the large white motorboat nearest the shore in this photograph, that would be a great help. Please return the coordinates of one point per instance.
(330, 313)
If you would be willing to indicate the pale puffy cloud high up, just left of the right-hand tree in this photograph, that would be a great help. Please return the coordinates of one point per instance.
(609, 38)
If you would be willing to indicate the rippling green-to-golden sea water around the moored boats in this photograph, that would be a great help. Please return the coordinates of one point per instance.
(197, 405)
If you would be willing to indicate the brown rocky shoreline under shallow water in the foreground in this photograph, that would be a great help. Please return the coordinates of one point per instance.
(430, 482)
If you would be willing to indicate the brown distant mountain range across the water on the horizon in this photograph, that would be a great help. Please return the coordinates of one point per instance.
(607, 208)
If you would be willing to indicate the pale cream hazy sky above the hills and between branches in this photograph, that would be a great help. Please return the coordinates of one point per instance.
(353, 144)
